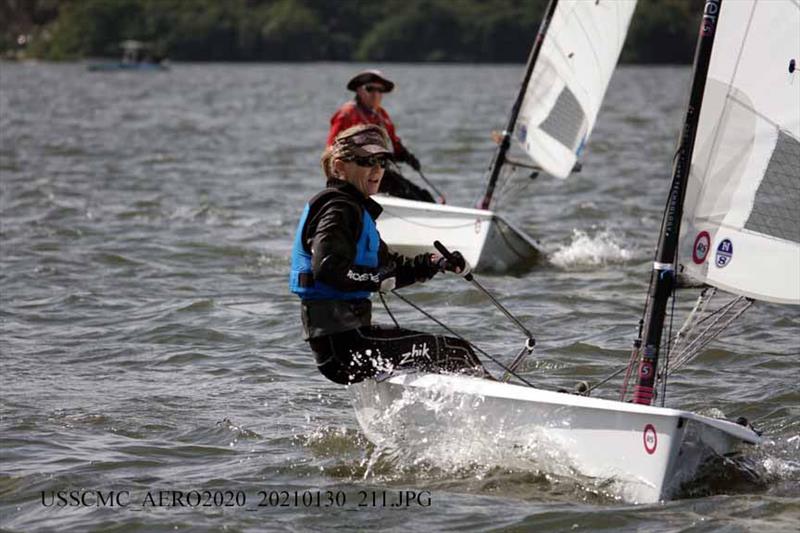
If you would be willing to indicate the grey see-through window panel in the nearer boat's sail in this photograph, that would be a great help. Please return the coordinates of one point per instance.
(775, 205)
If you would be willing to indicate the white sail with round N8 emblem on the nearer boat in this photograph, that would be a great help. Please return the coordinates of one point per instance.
(741, 221)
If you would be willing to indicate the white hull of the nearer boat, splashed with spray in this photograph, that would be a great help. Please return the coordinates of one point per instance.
(646, 452)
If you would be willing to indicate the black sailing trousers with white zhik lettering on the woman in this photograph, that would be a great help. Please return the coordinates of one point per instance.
(354, 355)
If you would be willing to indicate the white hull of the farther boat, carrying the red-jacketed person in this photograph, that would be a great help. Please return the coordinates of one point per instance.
(486, 240)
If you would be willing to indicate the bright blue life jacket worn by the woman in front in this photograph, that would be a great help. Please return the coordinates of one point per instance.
(301, 278)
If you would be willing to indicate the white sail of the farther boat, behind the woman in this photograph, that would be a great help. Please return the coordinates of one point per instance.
(569, 80)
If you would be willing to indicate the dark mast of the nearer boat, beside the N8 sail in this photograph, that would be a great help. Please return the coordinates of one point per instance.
(663, 275)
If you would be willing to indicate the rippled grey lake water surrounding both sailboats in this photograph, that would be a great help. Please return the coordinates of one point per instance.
(149, 343)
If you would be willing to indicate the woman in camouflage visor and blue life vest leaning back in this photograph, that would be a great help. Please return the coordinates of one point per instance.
(339, 260)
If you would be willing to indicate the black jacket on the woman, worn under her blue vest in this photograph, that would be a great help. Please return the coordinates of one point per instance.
(331, 233)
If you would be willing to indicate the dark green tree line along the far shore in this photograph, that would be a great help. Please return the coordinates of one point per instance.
(662, 31)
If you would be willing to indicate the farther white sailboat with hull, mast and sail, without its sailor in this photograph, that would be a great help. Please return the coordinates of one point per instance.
(568, 71)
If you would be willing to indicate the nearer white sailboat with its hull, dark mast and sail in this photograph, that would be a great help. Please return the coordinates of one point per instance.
(738, 169)
